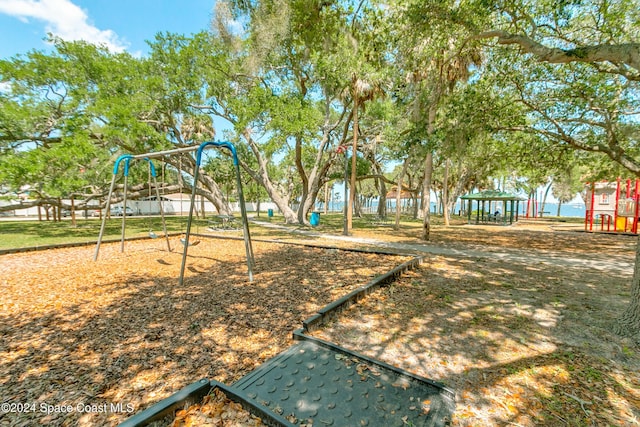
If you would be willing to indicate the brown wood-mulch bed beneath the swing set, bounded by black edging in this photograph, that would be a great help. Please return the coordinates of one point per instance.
(89, 343)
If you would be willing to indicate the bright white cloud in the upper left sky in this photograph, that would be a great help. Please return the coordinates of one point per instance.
(63, 19)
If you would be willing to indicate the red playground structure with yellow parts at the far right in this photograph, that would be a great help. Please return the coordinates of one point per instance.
(614, 204)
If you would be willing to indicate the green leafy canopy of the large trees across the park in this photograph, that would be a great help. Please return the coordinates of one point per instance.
(497, 88)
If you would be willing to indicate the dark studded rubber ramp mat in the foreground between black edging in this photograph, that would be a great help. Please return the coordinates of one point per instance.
(318, 381)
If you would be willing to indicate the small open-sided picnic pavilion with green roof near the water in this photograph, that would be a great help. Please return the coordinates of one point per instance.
(493, 207)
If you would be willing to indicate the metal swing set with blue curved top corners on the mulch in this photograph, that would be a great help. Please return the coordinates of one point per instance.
(127, 158)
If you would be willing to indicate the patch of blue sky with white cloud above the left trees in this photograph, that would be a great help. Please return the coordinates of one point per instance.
(123, 25)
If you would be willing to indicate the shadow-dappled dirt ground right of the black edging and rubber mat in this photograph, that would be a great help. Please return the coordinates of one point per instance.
(521, 344)
